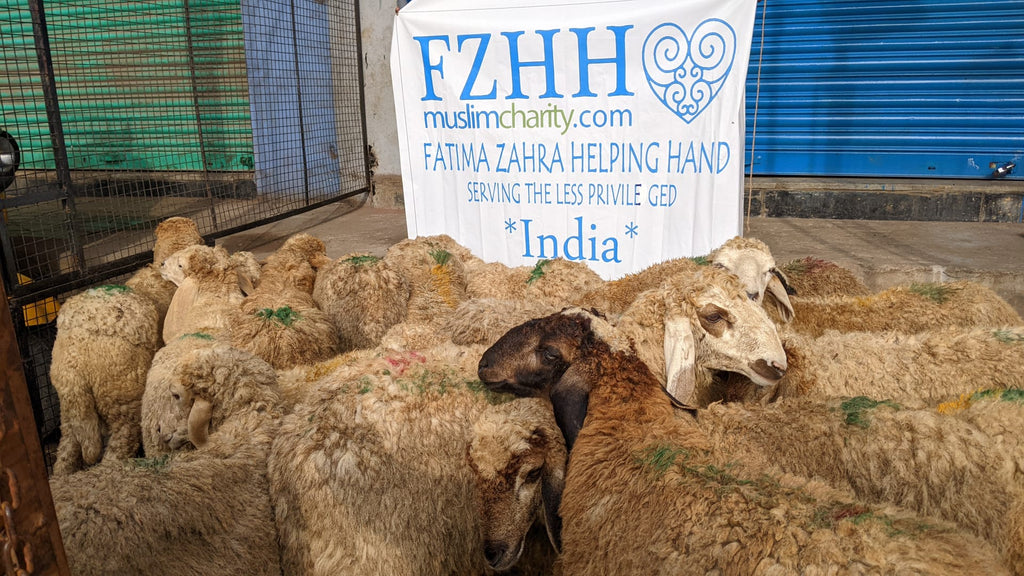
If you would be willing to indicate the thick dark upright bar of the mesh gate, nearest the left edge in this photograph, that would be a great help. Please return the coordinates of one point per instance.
(47, 76)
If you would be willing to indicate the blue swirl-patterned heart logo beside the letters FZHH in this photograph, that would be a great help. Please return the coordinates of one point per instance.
(687, 73)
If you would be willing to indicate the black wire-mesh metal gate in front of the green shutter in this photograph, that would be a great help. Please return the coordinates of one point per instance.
(115, 116)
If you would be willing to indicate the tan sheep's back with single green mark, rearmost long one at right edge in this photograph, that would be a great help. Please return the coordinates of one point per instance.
(906, 309)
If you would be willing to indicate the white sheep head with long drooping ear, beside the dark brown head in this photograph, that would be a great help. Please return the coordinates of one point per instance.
(712, 324)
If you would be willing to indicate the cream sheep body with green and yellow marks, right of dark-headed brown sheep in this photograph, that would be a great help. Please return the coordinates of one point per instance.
(961, 465)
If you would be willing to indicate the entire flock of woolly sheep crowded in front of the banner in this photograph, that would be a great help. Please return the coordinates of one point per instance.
(431, 414)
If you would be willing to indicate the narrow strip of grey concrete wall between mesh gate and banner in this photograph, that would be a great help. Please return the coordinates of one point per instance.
(376, 20)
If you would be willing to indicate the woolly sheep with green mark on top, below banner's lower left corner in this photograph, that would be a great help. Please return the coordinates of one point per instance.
(364, 297)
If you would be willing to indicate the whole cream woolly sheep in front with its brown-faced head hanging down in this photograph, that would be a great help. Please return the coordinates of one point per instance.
(370, 476)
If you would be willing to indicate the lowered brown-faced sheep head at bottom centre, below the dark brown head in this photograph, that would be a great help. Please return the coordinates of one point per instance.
(519, 462)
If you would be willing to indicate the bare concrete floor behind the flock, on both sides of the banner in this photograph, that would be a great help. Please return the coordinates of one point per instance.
(882, 253)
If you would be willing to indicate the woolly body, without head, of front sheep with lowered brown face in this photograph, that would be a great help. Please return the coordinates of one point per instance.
(370, 477)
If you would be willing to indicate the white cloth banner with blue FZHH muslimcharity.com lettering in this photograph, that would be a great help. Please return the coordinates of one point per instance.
(605, 132)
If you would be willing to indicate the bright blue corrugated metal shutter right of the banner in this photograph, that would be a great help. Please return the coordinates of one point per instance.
(887, 89)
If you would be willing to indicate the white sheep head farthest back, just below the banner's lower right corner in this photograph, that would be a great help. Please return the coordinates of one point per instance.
(751, 261)
